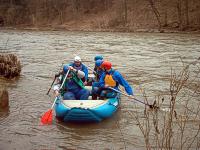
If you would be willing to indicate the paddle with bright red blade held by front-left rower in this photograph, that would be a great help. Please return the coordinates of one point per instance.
(48, 116)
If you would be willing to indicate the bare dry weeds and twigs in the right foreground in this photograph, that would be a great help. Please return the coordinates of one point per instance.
(179, 127)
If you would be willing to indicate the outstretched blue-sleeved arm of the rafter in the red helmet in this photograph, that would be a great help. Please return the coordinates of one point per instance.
(124, 83)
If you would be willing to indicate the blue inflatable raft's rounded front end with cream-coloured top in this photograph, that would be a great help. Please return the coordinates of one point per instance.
(86, 110)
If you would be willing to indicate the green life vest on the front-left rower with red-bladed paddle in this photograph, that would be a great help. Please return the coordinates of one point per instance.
(74, 77)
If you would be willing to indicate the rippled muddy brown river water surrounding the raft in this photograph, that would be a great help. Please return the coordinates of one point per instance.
(144, 59)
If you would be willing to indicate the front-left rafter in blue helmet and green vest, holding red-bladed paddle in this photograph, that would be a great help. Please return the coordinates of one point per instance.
(73, 88)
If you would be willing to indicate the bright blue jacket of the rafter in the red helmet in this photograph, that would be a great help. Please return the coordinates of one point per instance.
(119, 79)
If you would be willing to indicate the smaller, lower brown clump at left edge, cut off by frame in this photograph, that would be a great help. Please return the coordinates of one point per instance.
(4, 99)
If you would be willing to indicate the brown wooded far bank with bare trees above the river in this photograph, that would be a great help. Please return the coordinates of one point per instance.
(178, 14)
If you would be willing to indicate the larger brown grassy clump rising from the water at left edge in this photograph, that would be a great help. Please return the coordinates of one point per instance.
(10, 66)
